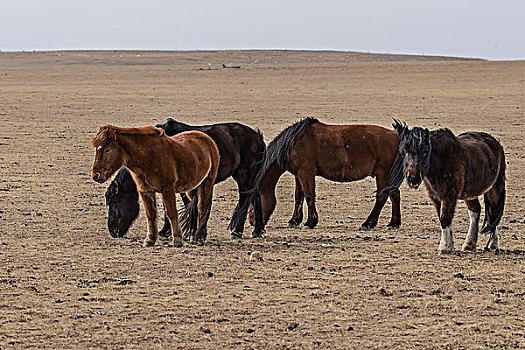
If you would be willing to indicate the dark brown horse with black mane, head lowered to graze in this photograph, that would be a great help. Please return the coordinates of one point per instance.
(342, 153)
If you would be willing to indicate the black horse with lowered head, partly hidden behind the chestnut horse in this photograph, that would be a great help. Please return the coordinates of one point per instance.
(241, 149)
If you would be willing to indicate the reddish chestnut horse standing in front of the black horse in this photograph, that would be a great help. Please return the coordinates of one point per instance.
(186, 162)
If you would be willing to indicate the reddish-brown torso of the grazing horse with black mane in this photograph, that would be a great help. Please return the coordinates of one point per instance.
(344, 152)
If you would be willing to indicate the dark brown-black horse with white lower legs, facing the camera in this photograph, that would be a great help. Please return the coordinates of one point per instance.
(463, 167)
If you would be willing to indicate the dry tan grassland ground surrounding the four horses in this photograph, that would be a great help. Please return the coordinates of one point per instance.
(64, 283)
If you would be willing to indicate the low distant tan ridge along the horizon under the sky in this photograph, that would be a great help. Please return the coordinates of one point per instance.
(205, 58)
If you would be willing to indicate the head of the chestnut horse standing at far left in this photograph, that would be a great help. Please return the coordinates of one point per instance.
(109, 155)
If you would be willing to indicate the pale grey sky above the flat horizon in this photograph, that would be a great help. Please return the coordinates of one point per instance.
(487, 29)
